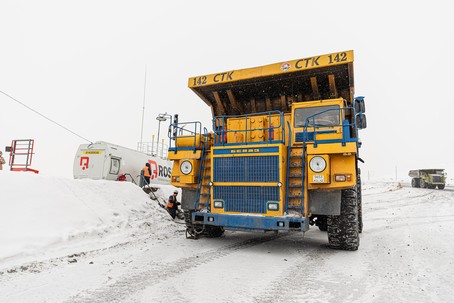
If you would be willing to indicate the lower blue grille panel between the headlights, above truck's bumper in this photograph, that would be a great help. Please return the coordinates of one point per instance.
(246, 199)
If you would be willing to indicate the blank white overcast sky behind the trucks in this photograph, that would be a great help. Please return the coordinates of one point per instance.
(82, 63)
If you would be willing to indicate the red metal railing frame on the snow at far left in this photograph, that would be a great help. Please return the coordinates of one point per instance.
(21, 155)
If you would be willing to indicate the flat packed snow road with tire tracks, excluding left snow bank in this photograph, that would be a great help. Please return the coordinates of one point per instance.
(405, 255)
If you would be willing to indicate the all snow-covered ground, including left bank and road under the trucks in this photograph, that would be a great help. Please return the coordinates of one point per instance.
(64, 240)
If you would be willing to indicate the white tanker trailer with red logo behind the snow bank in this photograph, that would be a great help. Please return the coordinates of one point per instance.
(103, 160)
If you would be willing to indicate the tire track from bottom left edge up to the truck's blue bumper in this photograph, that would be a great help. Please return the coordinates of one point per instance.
(159, 272)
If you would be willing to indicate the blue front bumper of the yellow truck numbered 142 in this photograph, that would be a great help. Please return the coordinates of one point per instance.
(251, 223)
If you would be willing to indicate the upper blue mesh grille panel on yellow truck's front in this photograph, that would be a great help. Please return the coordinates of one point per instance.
(246, 169)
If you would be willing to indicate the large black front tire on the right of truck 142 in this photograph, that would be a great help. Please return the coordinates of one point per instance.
(343, 230)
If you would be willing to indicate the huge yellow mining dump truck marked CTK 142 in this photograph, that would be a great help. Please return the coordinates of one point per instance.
(283, 153)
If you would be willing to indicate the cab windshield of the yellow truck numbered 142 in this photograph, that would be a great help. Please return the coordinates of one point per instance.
(329, 117)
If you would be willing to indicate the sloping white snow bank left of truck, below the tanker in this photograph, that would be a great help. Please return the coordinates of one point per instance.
(39, 212)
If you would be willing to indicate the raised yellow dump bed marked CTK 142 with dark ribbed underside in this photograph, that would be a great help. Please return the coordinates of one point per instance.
(276, 86)
